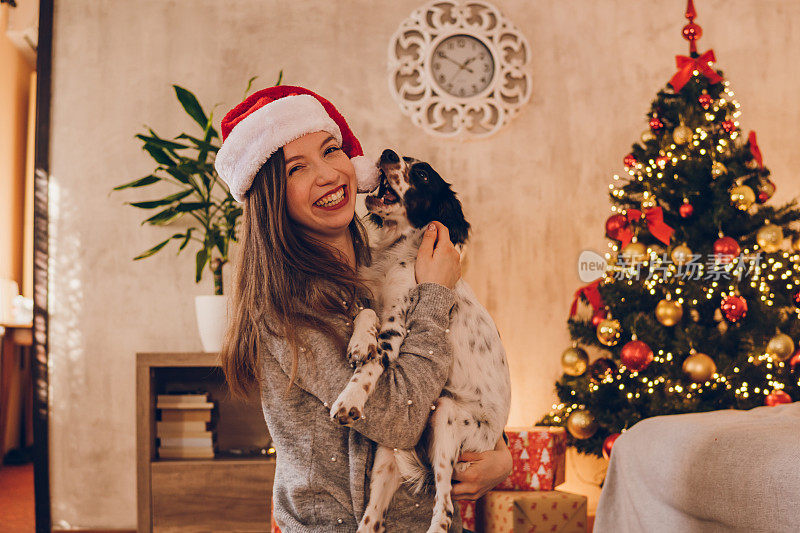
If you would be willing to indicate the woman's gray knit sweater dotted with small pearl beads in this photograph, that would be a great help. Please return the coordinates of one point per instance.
(322, 472)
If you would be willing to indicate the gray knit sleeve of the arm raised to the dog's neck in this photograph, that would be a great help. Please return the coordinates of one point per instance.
(398, 408)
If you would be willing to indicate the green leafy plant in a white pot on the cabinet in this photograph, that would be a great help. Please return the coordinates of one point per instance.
(187, 161)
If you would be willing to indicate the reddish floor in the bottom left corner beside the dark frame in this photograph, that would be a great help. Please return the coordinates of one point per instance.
(16, 498)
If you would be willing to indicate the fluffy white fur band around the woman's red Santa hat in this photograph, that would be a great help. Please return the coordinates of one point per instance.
(259, 135)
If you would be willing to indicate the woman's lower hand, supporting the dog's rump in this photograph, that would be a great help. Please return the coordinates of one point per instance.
(486, 471)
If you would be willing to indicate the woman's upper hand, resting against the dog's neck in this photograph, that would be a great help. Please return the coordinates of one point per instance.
(437, 259)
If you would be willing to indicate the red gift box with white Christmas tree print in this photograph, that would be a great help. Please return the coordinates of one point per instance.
(539, 455)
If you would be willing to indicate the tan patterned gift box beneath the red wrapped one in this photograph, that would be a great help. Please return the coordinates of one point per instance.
(531, 511)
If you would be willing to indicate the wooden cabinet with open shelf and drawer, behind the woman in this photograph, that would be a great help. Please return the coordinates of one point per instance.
(220, 494)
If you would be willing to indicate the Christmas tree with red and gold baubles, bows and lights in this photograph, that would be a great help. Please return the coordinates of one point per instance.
(697, 309)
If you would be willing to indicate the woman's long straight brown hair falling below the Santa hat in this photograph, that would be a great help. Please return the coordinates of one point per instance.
(284, 280)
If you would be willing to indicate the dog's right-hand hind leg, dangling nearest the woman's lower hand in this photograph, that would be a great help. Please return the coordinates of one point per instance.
(445, 446)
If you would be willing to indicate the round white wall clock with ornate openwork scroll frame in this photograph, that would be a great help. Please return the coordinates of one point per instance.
(459, 68)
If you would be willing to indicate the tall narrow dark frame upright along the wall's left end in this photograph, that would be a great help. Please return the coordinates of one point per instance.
(41, 464)
